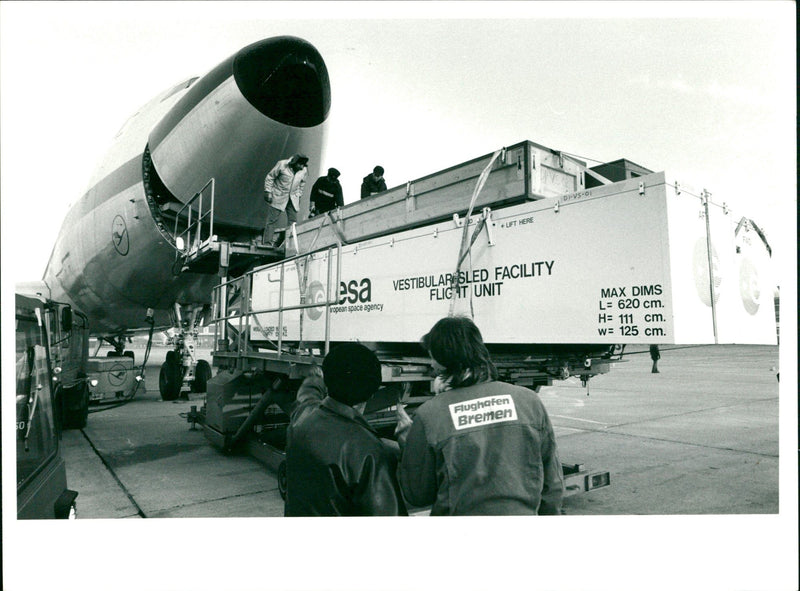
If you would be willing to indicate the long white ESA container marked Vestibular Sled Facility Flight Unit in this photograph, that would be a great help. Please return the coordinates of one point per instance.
(624, 263)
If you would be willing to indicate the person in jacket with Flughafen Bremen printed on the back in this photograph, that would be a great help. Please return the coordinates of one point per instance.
(479, 447)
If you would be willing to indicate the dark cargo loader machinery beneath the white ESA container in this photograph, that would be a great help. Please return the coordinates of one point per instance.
(248, 409)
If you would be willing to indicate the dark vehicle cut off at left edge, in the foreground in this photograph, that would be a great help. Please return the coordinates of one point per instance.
(42, 491)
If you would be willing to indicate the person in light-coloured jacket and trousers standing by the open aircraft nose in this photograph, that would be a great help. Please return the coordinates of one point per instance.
(283, 188)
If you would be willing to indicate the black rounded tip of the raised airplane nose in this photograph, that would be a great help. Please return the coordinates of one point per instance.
(286, 79)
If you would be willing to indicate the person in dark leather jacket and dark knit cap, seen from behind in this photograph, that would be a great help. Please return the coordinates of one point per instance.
(335, 462)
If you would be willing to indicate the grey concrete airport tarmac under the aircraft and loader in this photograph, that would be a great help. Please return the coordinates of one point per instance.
(698, 438)
